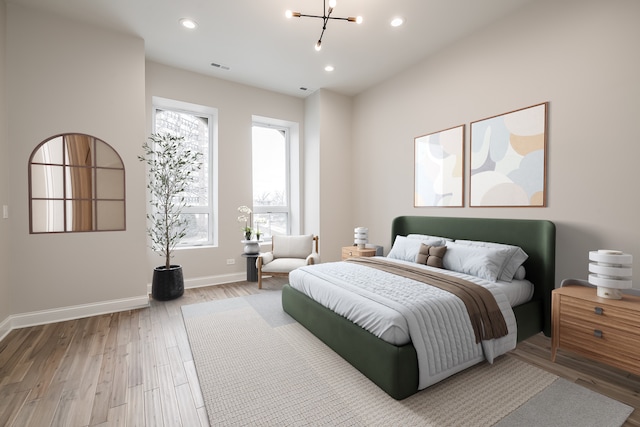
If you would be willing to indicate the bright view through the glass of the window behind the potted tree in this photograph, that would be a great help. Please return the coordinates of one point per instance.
(195, 128)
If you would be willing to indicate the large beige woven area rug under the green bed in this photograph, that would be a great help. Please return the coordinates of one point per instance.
(257, 366)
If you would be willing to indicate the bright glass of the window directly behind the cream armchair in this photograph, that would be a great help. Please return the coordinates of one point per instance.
(270, 167)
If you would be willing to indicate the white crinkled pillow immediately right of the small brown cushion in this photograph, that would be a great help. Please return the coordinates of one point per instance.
(478, 261)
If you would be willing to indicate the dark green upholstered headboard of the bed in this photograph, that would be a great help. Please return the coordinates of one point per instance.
(536, 237)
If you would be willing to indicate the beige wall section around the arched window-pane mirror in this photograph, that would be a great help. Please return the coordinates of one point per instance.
(68, 77)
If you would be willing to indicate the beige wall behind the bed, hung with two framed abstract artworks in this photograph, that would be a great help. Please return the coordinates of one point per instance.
(580, 56)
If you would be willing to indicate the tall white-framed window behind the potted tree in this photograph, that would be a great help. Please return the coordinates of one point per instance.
(197, 124)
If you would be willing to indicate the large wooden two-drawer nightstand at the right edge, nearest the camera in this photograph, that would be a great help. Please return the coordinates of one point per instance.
(605, 330)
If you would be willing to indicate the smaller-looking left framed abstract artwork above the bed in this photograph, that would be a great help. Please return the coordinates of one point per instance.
(439, 168)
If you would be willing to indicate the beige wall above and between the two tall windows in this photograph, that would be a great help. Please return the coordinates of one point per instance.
(236, 105)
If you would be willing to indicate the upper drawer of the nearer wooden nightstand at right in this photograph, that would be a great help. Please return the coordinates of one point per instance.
(599, 312)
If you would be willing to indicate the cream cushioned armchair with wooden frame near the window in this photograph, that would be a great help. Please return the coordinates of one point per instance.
(287, 254)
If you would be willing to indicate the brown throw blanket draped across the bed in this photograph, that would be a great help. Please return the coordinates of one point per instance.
(486, 318)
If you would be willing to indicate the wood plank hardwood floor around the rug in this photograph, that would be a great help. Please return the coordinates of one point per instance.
(135, 368)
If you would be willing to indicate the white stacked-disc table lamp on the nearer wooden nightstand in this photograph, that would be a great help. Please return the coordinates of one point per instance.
(610, 271)
